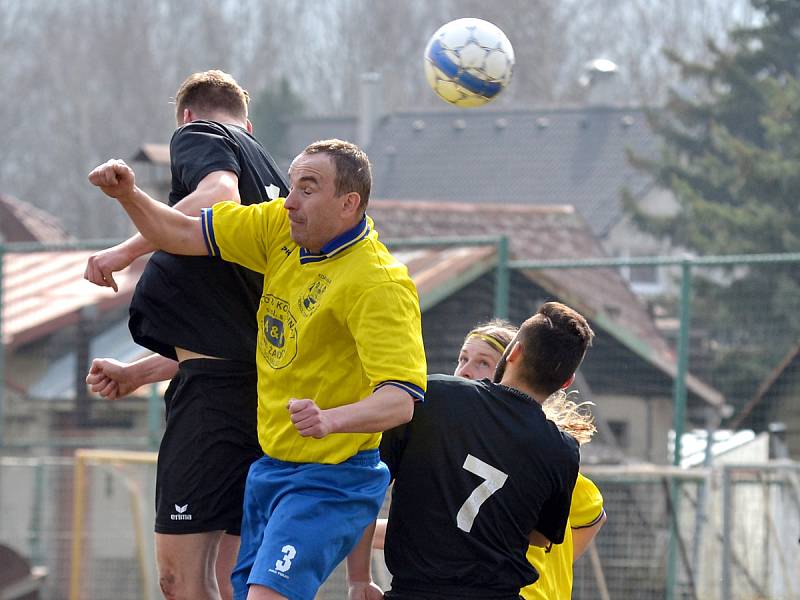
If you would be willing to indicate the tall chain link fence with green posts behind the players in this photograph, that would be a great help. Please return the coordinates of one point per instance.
(714, 348)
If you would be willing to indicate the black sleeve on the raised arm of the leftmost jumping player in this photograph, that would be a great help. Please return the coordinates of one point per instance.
(197, 149)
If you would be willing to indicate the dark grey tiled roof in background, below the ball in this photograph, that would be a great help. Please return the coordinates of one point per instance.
(538, 157)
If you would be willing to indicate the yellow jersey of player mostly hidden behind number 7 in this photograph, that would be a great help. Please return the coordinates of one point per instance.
(555, 567)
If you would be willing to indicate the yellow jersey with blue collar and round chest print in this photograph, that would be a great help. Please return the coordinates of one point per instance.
(333, 326)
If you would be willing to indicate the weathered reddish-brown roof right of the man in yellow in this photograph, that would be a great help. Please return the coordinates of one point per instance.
(544, 233)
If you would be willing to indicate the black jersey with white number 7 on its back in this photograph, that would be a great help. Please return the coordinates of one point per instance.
(475, 471)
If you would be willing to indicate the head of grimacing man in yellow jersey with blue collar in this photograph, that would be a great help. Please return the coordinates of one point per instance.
(330, 185)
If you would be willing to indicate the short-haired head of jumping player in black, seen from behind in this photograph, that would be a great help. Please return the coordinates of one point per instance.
(212, 95)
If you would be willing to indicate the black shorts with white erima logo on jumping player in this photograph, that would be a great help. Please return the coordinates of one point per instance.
(208, 446)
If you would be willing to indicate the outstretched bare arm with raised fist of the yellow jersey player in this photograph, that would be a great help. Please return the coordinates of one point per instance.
(164, 227)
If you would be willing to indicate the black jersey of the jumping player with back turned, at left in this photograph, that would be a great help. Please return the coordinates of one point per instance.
(203, 304)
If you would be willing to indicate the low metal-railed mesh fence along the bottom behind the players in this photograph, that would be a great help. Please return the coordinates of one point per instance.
(737, 530)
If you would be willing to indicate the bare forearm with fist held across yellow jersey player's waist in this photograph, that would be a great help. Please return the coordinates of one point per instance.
(387, 407)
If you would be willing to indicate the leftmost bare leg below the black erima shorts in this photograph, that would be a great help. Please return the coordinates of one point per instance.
(186, 565)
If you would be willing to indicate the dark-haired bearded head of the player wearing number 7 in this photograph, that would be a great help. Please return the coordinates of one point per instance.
(547, 350)
